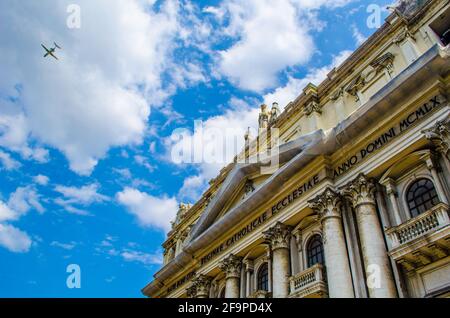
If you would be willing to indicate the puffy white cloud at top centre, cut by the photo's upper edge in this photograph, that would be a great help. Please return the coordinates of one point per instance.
(271, 37)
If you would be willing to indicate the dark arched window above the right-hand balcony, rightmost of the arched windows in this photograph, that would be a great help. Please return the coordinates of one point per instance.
(421, 197)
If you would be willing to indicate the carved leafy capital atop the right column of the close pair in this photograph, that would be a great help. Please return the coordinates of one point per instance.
(360, 191)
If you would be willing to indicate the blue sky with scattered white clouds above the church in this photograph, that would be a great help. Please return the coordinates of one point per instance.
(86, 172)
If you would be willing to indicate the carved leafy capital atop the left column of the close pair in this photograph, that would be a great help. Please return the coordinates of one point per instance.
(327, 205)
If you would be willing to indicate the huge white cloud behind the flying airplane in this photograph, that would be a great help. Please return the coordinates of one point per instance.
(98, 95)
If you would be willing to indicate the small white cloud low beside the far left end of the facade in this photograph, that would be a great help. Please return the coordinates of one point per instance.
(150, 211)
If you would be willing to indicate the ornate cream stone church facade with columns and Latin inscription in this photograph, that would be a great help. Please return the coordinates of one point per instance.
(358, 205)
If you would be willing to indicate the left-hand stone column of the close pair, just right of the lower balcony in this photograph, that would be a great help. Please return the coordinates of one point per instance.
(328, 207)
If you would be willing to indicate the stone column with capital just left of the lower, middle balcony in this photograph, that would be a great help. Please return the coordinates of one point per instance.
(278, 238)
